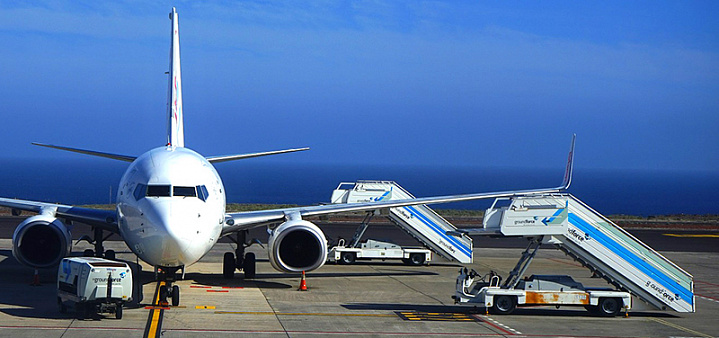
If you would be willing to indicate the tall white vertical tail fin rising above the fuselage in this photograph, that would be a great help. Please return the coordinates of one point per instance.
(175, 126)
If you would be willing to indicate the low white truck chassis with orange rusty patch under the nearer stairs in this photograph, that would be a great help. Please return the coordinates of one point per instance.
(537, 290)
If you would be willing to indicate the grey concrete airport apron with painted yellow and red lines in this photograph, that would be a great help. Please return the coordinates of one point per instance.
(366, 299)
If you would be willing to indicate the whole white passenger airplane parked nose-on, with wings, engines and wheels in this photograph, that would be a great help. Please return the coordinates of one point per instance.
(171, 209)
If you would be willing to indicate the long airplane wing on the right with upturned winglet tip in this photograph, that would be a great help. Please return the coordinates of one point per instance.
(246, 220)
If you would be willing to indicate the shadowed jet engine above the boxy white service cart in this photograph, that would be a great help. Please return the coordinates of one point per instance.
(41, 241)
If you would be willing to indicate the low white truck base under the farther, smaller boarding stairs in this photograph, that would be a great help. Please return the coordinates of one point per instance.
(372, 249)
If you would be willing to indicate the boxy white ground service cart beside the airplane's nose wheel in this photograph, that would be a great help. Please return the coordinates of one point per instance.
(93, 285)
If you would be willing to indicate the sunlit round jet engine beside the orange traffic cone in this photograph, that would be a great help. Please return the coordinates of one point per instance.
(297, 245)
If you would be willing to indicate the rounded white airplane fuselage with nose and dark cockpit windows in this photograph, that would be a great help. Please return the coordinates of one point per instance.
(170, 206)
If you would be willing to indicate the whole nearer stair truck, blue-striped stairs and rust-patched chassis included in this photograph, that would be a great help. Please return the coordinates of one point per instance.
(642, 278)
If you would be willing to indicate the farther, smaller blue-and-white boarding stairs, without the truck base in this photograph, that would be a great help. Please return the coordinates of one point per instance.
(421, 222)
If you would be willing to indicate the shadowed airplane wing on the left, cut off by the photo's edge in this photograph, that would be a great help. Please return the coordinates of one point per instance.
(105, 219)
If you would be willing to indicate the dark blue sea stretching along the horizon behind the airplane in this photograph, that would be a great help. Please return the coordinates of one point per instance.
(611, 192)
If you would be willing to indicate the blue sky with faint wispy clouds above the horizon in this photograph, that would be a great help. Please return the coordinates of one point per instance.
(460, 83)
